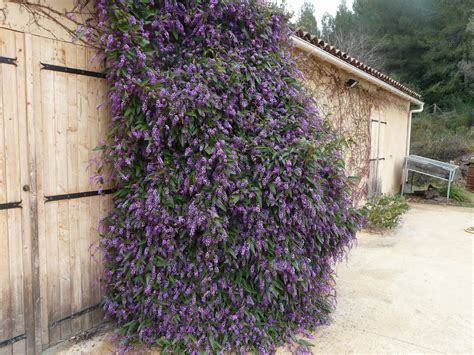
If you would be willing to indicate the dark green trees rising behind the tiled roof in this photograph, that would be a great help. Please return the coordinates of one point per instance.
(426, 44)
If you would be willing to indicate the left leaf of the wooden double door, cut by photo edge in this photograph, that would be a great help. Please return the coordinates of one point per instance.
(16, 302)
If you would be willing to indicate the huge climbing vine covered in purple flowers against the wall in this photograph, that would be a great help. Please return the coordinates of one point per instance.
(232, 205)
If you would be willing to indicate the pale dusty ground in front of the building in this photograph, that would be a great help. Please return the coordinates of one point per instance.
(408, 291)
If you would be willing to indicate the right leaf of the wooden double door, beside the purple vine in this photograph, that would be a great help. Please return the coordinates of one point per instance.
(70, 122)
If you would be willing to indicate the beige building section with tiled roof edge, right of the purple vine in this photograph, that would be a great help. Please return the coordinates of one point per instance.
(365, 106)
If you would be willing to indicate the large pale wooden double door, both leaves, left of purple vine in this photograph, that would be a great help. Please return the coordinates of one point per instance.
(51, 119)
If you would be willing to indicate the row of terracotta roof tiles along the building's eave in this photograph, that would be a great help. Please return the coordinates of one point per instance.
(314, 40)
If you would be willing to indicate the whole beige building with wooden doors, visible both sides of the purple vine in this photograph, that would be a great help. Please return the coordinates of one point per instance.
(50, 122)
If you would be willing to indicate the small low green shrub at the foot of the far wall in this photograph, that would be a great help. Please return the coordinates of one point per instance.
(384, 211)
